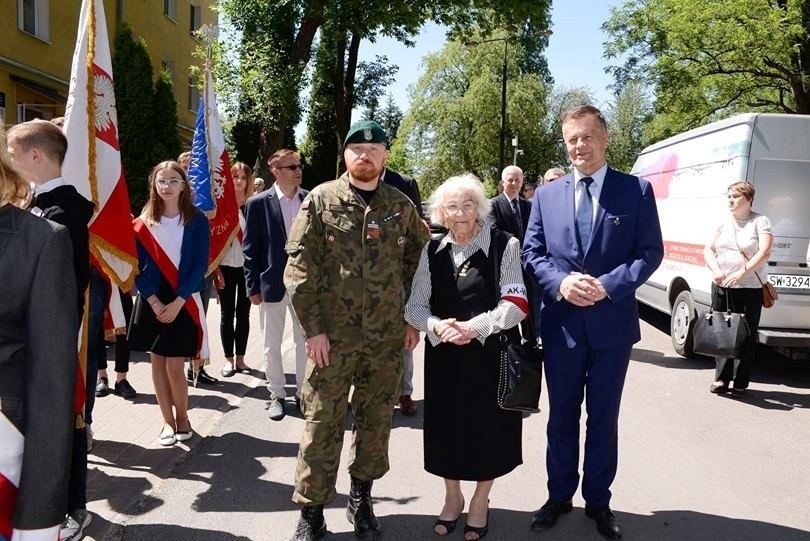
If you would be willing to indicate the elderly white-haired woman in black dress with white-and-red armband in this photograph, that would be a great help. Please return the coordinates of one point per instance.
(464, 303)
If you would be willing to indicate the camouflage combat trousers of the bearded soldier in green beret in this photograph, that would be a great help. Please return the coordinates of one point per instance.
(375, 370)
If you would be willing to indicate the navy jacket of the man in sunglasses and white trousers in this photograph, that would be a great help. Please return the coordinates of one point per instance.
(263, 245)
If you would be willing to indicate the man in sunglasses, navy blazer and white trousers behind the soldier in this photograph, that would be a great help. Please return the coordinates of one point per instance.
(268, 218)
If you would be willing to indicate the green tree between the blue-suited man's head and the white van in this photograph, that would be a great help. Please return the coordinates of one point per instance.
(626, 117)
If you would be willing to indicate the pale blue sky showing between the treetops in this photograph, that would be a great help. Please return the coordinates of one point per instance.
(574, 52)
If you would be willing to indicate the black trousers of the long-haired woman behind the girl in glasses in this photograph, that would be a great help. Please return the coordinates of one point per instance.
(235, 304)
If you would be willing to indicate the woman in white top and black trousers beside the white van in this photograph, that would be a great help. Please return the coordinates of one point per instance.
(736, 255)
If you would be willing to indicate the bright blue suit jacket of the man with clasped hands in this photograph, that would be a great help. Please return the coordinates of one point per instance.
(625, 248)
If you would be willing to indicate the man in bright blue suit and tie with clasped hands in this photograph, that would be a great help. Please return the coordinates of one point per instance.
(593, 237)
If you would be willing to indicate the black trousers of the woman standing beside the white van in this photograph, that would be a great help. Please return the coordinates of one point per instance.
(747, 301)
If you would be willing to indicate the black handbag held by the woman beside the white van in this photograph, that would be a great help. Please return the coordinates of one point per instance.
(721, 333)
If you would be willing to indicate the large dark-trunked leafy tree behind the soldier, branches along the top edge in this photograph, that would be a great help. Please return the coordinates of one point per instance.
(277, 40)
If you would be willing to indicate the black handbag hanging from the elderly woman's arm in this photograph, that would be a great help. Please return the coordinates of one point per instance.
(521, 366)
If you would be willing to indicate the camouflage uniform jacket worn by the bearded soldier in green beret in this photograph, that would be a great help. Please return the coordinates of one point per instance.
(349, 264)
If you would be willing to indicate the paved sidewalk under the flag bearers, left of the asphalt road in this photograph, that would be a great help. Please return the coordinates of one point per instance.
(127, 462)
